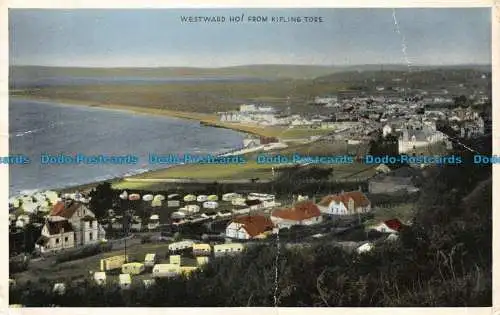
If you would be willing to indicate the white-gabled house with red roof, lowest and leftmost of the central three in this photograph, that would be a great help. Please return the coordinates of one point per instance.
(248, 227)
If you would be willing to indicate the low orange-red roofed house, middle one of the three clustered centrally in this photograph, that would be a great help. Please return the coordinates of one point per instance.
(302, 213)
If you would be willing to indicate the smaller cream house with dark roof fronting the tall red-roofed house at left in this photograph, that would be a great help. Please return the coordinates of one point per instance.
(56, 235)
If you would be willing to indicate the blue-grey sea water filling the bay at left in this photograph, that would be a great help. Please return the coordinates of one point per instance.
(37, 127)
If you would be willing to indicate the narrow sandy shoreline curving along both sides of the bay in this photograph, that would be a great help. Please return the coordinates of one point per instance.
(206, 119)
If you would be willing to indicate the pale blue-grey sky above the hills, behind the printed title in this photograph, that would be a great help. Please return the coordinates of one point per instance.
(158, 37)
